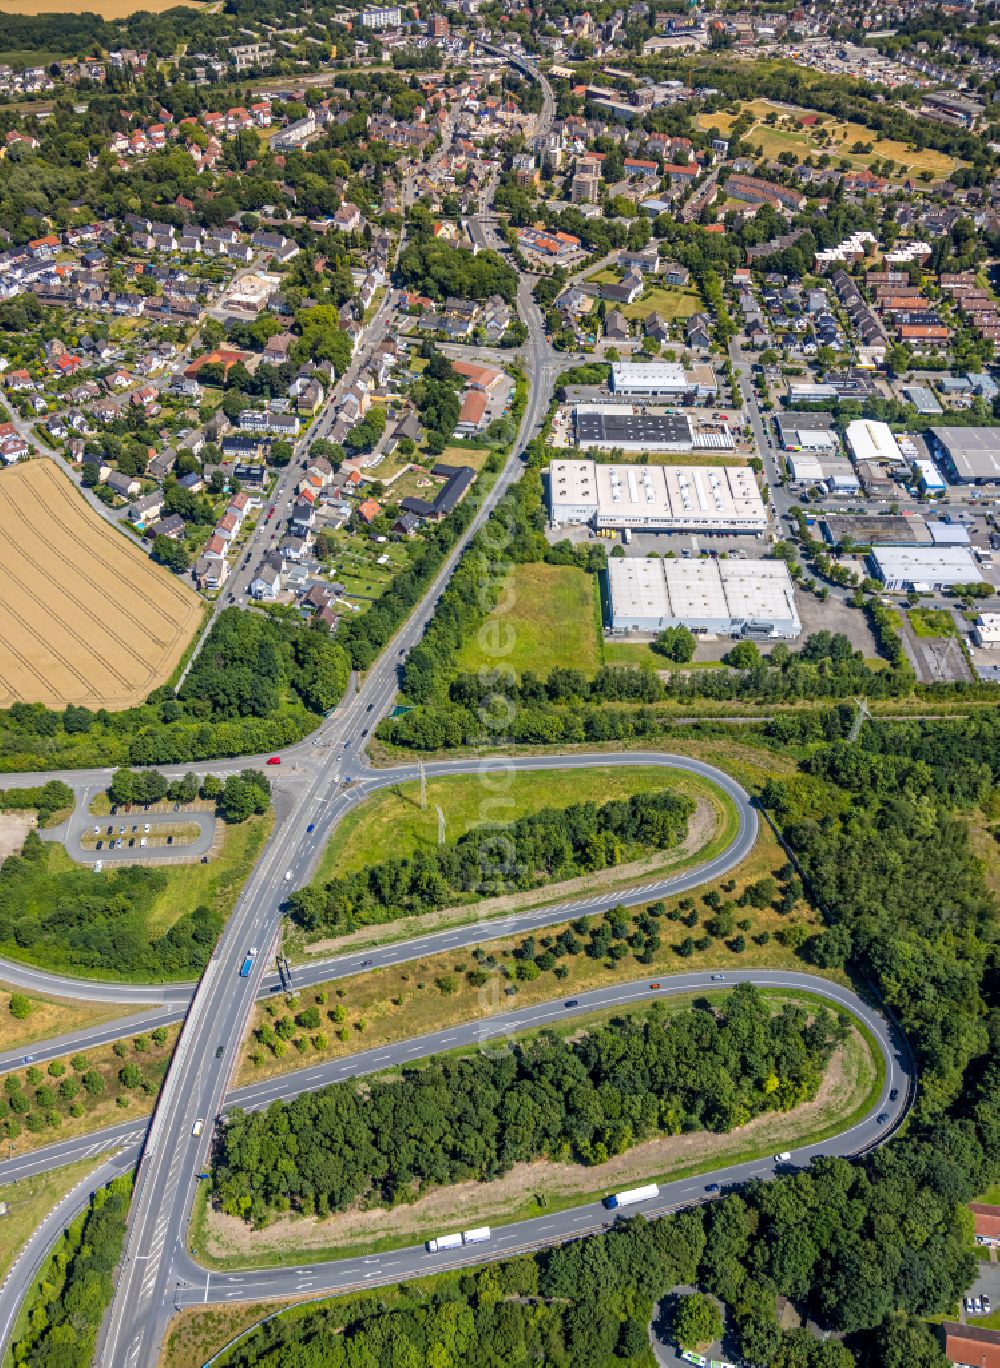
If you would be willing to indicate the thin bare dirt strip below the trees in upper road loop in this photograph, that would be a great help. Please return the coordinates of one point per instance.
(702, 826)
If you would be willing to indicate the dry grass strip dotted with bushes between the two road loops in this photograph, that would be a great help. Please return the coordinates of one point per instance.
(434, 992)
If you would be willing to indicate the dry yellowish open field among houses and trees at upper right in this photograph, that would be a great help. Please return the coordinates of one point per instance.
(790, 135)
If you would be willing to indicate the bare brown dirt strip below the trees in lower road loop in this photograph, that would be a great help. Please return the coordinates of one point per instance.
(841, 1092)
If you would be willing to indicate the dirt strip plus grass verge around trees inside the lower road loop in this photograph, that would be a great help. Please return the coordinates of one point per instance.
(852, 1087)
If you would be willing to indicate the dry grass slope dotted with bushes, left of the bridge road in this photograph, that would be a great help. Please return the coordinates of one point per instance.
(84, 1092)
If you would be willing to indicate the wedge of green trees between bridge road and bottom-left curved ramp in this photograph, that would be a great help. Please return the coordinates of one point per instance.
(66, 1308)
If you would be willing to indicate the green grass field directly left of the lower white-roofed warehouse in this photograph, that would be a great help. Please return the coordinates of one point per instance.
(548, 616)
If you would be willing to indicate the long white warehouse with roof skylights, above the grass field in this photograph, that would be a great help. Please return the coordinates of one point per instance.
(656, 499)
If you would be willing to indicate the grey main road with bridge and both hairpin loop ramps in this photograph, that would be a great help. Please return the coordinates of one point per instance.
(319, 782)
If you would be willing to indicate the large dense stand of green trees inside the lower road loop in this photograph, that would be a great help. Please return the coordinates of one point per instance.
(579, 1102)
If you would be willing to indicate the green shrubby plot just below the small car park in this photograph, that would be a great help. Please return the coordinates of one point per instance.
(79, 921)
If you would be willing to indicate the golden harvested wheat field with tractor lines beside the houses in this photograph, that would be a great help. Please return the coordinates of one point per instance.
(85, 616)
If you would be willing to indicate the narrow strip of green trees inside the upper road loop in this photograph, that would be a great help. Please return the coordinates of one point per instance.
(549, 845)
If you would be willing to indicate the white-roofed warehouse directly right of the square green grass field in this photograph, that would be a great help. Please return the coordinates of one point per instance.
(727, 598)
